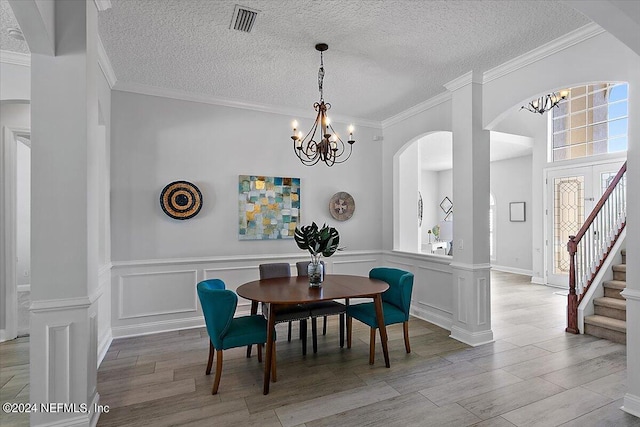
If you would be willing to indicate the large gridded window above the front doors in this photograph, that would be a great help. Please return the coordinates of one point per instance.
(592, 120)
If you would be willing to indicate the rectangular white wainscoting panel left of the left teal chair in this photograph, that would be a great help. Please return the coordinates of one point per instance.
(152, 294)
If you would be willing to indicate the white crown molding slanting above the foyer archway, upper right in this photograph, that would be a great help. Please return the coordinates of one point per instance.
(570, 39)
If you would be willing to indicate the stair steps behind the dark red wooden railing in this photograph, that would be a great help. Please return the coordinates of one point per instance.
(610, 318)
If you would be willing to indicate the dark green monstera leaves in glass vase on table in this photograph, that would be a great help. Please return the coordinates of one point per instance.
(319, 242)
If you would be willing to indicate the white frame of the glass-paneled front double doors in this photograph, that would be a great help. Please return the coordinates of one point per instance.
(548, 205)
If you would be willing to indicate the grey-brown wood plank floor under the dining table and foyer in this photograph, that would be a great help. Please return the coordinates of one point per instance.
(534, 374)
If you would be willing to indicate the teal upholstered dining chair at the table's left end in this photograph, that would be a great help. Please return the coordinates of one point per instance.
(226, 331)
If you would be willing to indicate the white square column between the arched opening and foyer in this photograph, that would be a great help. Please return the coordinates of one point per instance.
(471, 321)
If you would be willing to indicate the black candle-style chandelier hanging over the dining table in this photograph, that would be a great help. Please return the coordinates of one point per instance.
(327, 146)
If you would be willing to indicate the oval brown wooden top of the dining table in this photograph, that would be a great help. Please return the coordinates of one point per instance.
(296, 290)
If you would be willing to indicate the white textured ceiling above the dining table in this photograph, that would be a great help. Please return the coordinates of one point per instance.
(384, 56)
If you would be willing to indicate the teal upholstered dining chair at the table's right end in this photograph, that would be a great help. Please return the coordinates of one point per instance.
(396, 302)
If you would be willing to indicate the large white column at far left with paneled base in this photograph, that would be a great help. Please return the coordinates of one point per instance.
(63, 355)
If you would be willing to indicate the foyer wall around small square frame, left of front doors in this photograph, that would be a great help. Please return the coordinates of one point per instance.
(511, 182)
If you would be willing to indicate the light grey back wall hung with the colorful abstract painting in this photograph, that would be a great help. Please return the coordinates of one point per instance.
(155, 141)
